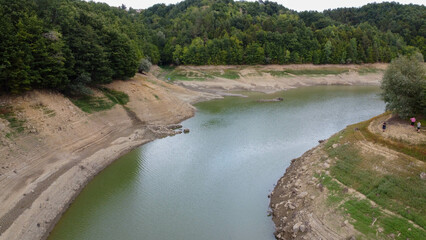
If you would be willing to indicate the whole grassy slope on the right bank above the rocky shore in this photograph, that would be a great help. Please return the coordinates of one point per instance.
(396, 195)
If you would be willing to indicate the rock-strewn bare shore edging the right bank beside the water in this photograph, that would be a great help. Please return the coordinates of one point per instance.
(298, 202)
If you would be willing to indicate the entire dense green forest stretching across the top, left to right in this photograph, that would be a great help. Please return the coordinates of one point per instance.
(70, 44)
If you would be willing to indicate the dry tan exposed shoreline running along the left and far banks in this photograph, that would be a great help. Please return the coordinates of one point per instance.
(43, 170)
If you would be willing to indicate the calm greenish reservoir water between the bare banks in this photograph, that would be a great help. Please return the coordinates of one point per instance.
(212, 184)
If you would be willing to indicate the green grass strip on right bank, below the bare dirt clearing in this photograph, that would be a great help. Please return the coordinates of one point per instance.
(390, 191)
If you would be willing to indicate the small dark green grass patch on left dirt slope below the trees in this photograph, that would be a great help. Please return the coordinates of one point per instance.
(92, 104)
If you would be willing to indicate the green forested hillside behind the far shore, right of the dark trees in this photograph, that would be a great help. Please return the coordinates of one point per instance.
(233, 32)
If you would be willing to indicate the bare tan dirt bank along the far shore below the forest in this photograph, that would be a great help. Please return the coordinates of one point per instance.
(272, 78)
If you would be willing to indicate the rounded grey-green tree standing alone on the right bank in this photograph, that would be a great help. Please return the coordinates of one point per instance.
(403, 86)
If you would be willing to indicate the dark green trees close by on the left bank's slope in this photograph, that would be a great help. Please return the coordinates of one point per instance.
(68, 45)
